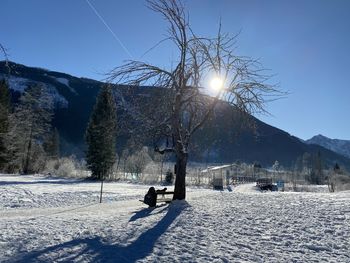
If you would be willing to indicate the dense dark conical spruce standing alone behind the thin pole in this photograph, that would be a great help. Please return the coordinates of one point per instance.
(101, 134)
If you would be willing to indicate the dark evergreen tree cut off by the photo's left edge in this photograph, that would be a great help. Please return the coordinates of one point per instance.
(5, 104)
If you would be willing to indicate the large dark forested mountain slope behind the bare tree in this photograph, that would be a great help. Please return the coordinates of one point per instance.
(221, 140)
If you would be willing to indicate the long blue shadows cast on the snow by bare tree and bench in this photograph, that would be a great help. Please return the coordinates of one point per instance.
(95, 250)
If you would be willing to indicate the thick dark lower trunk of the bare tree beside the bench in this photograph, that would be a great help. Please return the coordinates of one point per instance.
(180, 181)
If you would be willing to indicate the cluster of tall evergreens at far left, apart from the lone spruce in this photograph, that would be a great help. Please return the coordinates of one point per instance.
(27, 138)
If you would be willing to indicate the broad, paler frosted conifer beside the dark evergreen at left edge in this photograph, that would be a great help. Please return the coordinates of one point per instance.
(29, 127)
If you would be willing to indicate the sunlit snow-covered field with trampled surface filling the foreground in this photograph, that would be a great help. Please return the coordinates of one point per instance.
(60, 220)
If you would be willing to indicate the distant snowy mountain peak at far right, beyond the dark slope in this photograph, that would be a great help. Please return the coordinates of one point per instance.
(339, 146)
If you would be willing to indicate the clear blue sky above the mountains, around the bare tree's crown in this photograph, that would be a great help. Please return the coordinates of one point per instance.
(305, 44)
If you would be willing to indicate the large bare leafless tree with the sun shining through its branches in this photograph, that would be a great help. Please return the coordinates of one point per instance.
(182, 106)
